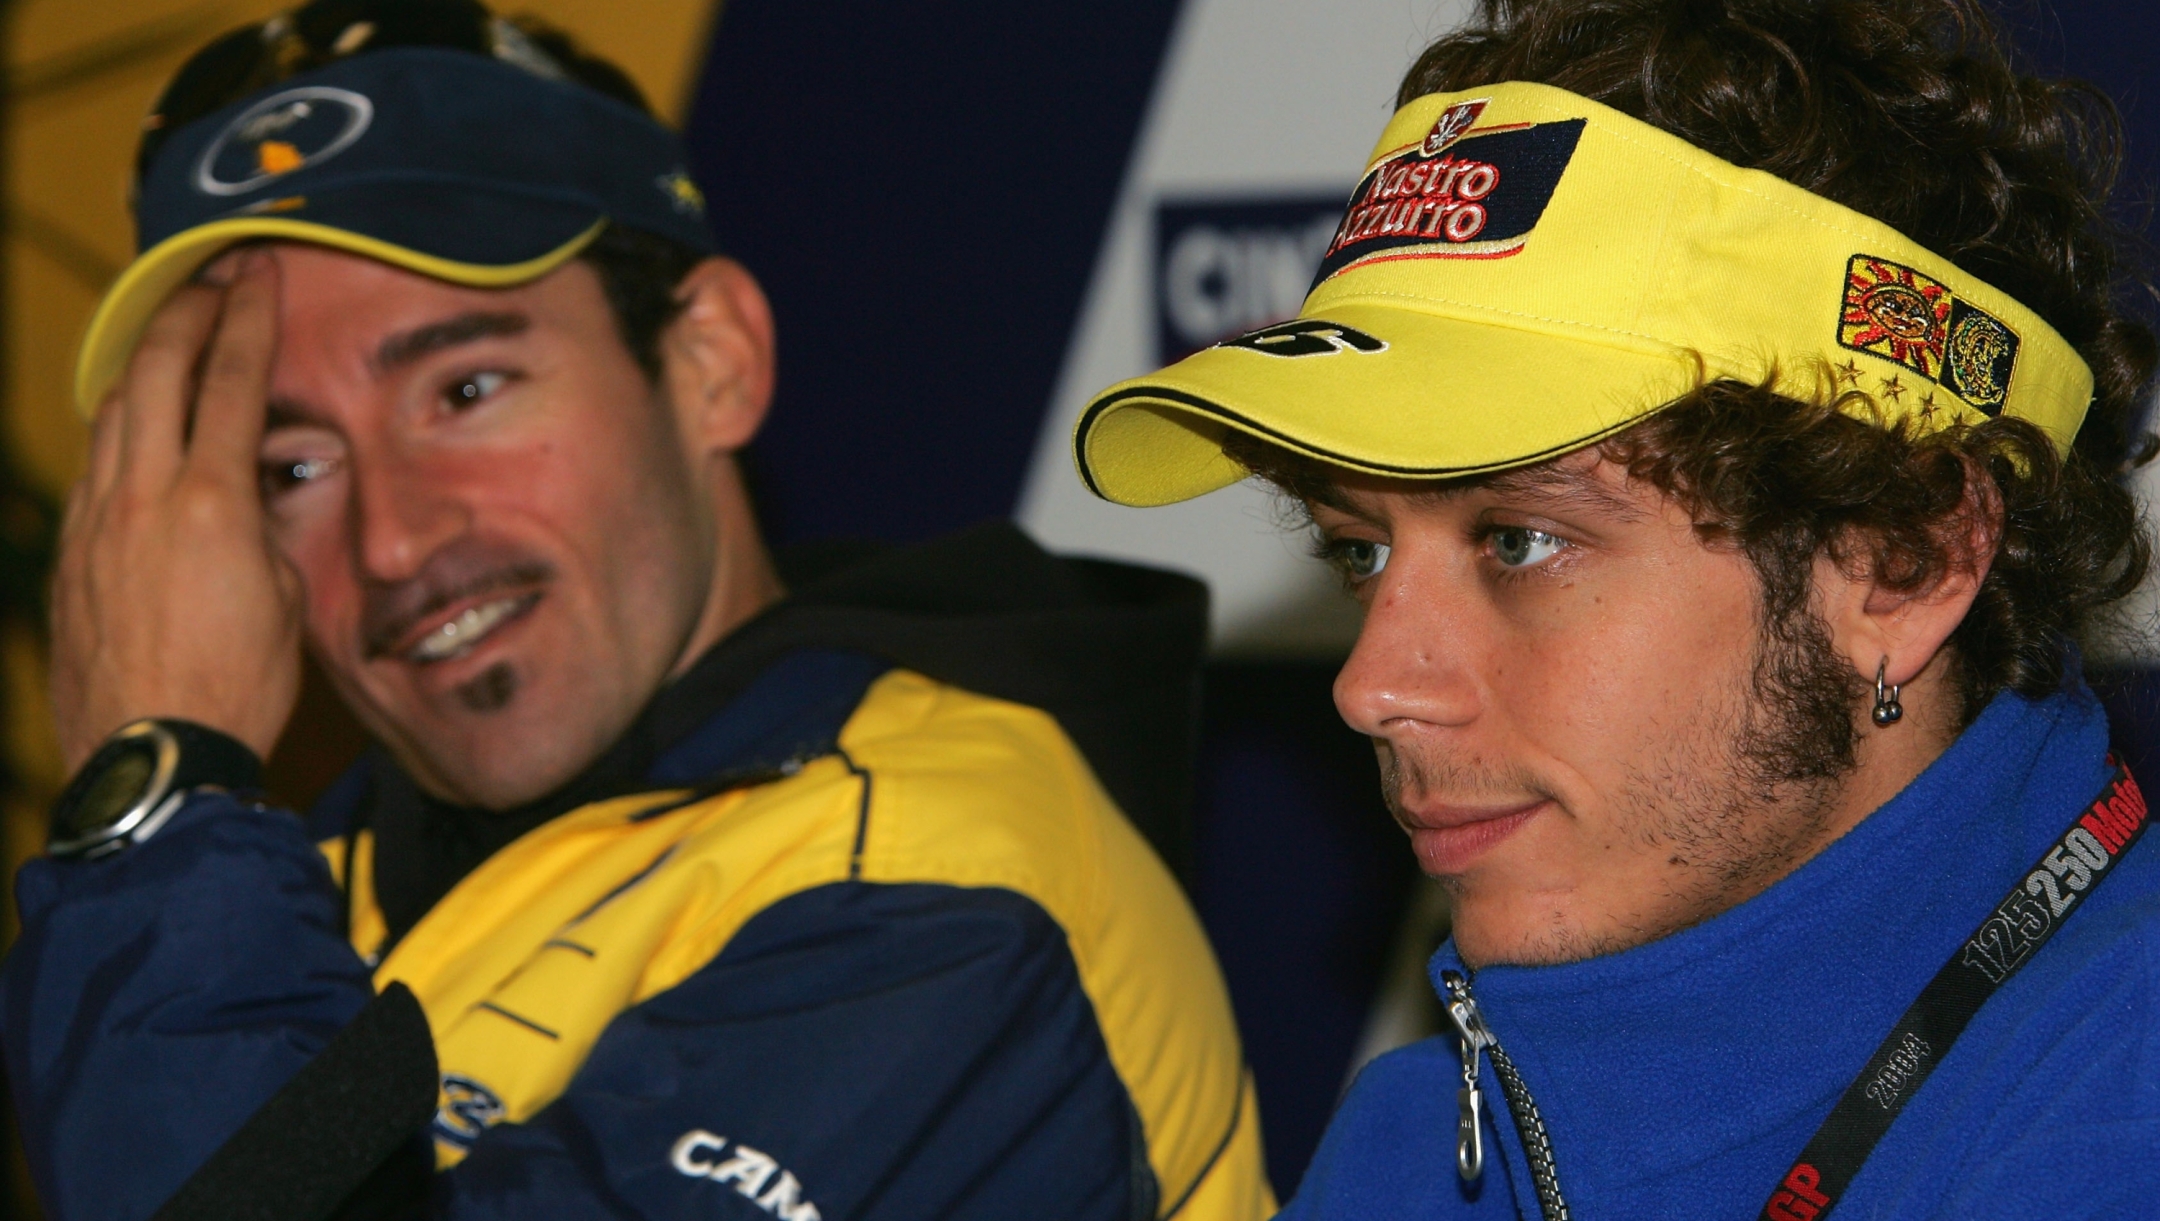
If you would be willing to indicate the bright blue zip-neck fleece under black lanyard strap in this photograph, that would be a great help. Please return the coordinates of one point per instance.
(1684, 1077)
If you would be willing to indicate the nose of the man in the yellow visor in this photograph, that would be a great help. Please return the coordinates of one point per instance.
(1412, 660)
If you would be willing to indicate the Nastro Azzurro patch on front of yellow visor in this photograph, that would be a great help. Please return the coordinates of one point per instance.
(1476, 198)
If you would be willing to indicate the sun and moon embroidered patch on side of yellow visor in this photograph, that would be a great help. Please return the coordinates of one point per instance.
(1904, 317)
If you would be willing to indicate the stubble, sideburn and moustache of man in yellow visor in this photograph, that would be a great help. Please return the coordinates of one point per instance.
(1736, 803)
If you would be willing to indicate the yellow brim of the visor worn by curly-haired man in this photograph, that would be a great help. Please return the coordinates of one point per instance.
(1161, 440)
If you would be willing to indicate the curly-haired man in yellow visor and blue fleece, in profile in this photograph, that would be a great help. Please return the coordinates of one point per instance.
(1718, 410)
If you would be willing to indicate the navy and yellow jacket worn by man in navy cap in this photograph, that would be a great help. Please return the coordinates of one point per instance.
(837, 941)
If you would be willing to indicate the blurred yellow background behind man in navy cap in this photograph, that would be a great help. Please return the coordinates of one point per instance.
(83, 75)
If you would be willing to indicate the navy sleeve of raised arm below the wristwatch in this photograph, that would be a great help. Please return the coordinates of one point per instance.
(163, 995)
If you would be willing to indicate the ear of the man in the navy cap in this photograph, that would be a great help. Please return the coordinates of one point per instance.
(718, 358)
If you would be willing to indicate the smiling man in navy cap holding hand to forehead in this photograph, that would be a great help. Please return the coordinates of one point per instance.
(681, 883)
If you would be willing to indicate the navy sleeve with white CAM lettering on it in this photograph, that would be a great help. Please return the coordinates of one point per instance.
(854, 1054)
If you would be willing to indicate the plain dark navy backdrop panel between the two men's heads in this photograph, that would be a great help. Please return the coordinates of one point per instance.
(921, 187)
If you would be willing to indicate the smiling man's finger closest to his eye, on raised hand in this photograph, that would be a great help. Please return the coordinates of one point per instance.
(237, 379)
